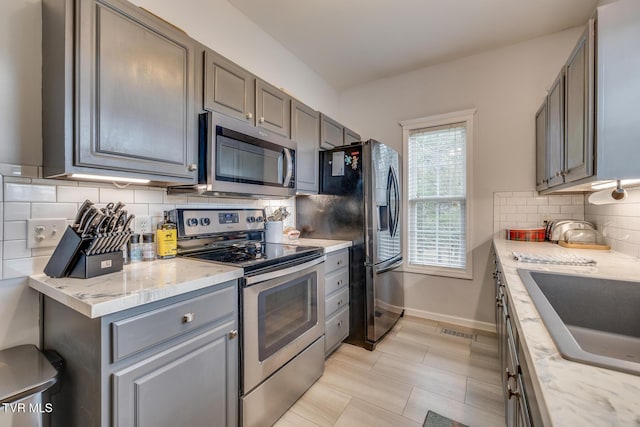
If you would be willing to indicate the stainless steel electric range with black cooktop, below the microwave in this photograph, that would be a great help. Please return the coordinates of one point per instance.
(281, 305)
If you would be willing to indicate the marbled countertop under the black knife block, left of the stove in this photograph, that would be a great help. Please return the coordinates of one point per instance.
(137, 284)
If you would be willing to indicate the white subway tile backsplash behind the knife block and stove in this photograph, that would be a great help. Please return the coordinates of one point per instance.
(26, 198)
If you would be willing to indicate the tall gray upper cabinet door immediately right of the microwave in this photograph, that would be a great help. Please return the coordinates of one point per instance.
(305, 130)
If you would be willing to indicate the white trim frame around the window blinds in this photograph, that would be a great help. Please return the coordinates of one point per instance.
(463, 116)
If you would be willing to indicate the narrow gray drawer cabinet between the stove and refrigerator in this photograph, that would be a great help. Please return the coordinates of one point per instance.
(336, 286)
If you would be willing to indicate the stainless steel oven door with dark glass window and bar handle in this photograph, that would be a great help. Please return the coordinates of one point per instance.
(283, 313)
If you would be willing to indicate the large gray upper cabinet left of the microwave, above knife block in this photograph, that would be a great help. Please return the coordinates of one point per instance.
(122, 97)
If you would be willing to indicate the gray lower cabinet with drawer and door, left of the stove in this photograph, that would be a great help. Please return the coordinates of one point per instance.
(169, 363)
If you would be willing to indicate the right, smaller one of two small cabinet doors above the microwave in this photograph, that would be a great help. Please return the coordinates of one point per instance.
(273, 109)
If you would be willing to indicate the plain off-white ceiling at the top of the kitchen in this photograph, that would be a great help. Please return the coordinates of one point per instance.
(351, 42)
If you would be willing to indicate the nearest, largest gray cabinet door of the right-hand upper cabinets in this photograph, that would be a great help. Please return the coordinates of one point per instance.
(579, 109)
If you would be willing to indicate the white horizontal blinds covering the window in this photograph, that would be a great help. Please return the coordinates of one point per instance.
(437, 196)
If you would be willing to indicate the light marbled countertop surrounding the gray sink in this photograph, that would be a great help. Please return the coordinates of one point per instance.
(572, 393)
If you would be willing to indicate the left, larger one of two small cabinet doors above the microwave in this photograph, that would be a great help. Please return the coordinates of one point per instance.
(228, 88)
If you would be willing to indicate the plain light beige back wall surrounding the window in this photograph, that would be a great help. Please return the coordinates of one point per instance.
(506, 86)
